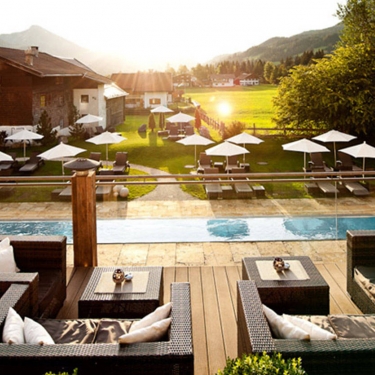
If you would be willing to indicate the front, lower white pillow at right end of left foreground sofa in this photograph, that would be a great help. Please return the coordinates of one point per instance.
(151, 333)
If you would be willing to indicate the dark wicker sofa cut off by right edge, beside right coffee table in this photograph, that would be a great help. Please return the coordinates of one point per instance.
(360, 252)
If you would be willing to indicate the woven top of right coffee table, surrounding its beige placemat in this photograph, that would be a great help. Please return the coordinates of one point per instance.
(250, 271)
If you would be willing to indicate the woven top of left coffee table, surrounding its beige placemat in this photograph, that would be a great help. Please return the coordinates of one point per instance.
(152, 292)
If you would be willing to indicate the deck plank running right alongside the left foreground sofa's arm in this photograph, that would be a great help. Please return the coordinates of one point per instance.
(198, 321)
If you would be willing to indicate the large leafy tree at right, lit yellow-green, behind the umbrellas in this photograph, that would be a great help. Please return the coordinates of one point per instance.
(338, 91)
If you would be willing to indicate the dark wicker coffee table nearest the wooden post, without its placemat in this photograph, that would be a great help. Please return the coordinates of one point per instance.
(124, 305)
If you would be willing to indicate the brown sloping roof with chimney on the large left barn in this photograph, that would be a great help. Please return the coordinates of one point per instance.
(45, 65)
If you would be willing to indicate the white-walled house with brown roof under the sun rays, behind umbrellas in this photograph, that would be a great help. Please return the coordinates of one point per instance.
(146, 90)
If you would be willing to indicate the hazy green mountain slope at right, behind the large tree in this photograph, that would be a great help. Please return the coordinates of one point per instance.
(278, 48)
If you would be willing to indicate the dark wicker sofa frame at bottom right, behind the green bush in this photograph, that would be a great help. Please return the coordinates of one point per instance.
(343, 356)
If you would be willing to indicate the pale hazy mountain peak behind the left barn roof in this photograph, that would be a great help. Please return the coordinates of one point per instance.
(53, 44)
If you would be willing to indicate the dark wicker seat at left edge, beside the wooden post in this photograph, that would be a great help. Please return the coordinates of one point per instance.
(45, 255)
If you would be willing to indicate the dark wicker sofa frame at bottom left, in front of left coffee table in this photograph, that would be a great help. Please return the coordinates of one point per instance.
(173, 356)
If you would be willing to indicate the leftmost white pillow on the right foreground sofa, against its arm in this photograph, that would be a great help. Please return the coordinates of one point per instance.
(281, 328)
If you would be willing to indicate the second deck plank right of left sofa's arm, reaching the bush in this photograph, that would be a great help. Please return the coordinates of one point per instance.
(215, 345)
